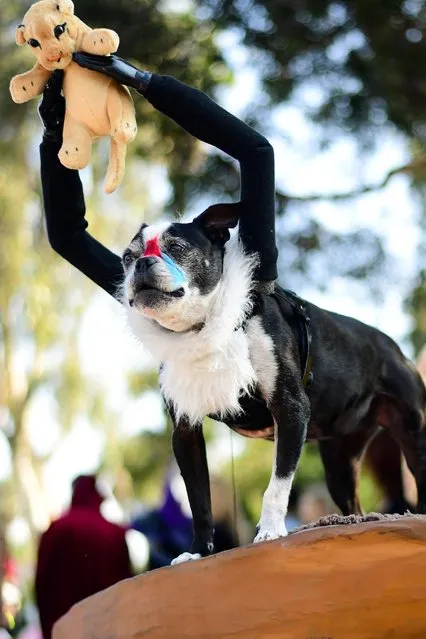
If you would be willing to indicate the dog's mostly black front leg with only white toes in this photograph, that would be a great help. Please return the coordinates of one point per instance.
(190, 452)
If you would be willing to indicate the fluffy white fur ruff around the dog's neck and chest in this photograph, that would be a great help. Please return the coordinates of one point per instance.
(205, 372)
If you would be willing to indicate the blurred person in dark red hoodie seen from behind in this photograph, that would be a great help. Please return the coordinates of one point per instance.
(80, 554)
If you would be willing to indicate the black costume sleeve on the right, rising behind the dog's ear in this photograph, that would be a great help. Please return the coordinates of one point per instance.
(195, 112)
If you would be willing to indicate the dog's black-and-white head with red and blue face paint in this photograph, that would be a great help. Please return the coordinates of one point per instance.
(172, 270)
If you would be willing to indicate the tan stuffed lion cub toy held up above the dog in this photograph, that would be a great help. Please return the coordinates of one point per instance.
(96, 105)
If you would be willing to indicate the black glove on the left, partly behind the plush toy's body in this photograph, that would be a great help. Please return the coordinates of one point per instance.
(52, 108)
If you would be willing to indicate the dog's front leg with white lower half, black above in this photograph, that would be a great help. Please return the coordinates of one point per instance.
(291, 417)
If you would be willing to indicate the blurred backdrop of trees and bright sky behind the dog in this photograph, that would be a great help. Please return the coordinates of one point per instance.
(339, 88)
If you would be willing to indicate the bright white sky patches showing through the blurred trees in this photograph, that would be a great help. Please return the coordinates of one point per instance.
(106, 347)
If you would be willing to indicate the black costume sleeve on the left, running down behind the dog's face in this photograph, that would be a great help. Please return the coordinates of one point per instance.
(66, 224)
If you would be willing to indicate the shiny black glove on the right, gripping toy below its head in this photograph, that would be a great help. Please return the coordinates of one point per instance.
(116, 68)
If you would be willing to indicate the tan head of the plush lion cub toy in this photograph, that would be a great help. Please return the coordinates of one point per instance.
(47, 28)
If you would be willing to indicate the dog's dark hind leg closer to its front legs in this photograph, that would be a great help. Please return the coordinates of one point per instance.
(341, 457)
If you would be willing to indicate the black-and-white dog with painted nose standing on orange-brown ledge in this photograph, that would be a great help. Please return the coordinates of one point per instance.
(269, 366)
